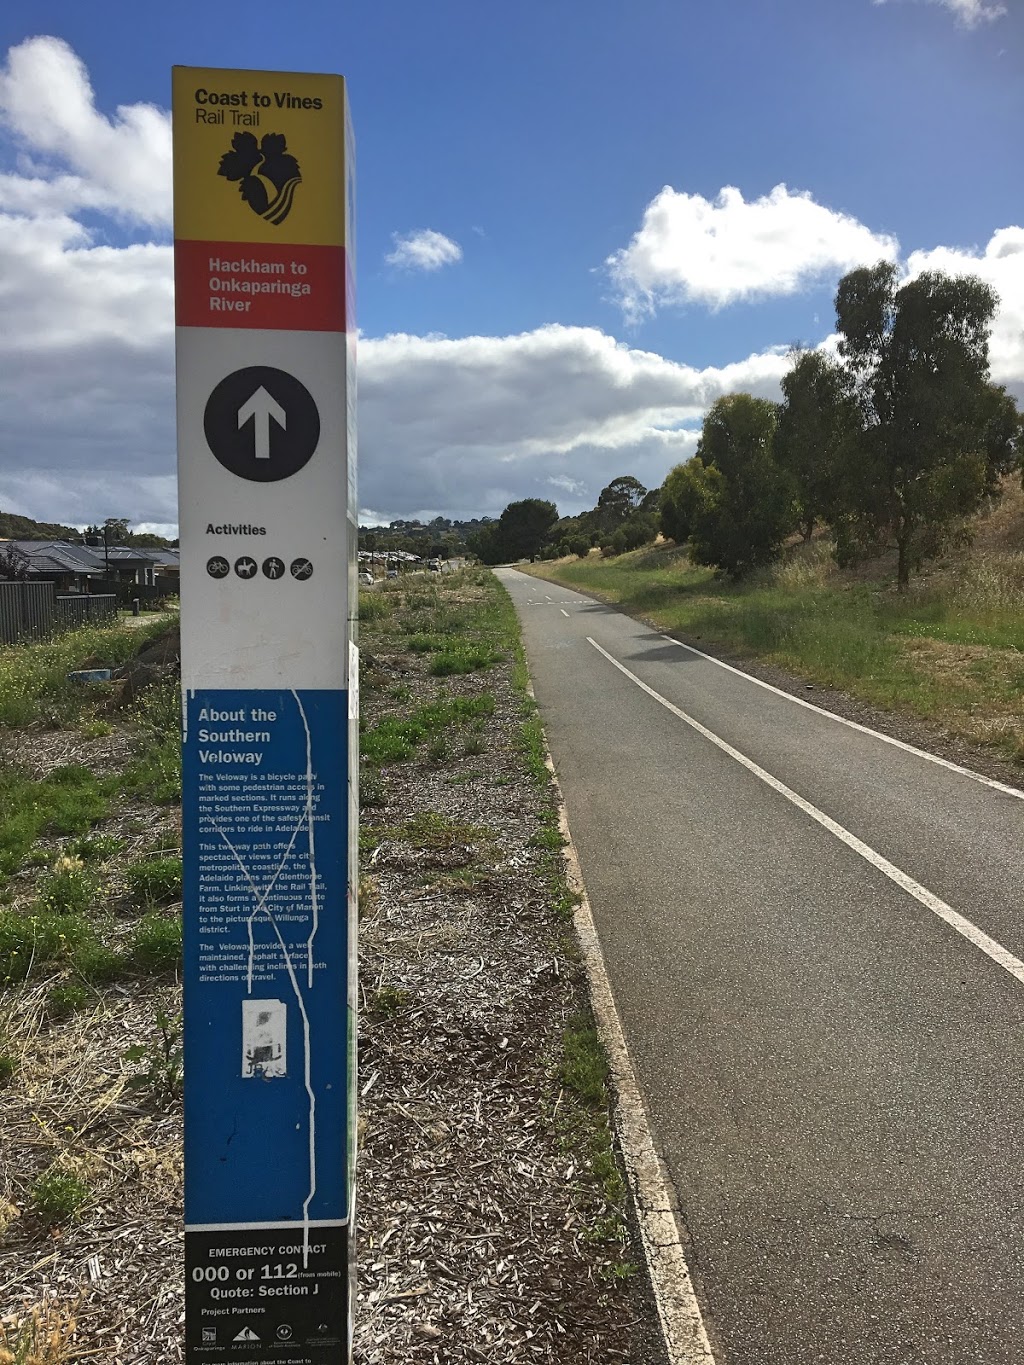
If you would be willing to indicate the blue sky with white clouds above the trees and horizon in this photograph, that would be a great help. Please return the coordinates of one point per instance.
(578, 223)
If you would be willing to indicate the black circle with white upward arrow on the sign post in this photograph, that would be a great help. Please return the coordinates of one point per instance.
(261, 424)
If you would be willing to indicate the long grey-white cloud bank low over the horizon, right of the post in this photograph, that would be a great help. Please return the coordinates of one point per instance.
(470, 424)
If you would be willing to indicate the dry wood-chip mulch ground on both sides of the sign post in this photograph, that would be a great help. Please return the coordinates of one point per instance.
(483, 1232)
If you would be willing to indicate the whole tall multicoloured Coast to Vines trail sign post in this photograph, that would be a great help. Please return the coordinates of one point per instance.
(264, 278)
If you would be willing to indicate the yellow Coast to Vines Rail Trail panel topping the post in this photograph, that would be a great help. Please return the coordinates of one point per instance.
(260, 156)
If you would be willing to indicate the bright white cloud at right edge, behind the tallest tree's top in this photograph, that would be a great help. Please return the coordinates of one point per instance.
(1001, 265)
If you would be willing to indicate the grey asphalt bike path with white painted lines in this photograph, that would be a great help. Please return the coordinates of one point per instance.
(816, 944)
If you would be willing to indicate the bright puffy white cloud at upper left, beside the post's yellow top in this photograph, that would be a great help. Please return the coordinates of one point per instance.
(83, 159)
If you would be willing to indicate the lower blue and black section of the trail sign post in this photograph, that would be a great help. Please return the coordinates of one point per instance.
(268, 1026)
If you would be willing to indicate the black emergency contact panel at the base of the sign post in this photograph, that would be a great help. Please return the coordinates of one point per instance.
(252, 1297)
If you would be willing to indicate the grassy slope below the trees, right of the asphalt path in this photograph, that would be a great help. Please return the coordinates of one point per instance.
(950, 650)
